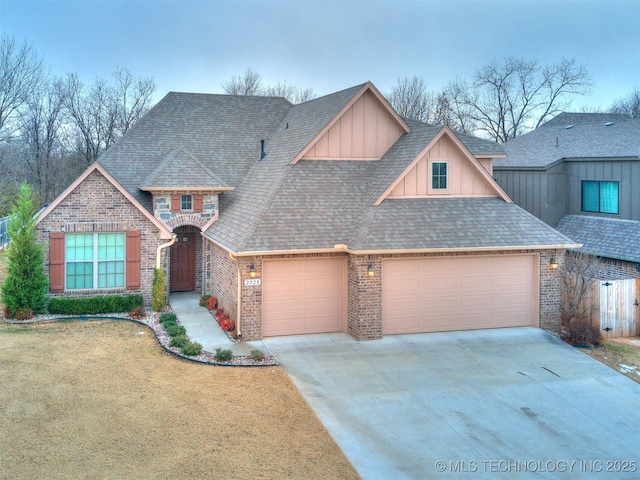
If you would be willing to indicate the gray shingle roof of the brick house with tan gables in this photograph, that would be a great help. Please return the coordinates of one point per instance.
(312, 204)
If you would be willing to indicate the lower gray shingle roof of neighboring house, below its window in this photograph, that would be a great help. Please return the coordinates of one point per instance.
(605, 237)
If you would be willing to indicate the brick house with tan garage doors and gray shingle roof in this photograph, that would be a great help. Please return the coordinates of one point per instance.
(332, 215)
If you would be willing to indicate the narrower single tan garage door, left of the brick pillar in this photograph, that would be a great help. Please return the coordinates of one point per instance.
(304, 296)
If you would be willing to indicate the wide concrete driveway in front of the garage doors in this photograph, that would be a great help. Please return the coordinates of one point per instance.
(505, 403)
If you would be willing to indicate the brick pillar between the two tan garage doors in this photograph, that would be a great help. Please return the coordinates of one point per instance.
(364, 304)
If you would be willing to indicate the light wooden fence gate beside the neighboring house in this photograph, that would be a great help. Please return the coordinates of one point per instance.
(617, 314)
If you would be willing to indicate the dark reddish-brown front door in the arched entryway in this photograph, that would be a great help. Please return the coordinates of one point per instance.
(183, 270)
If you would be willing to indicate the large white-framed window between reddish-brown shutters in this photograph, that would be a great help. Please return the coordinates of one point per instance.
(94, 260)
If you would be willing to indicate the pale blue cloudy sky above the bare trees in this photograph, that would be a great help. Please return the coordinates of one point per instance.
(195, 46)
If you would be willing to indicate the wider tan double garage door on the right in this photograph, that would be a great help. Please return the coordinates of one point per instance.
(459, 293)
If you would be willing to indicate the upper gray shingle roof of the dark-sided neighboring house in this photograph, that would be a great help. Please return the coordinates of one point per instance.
(587, 138)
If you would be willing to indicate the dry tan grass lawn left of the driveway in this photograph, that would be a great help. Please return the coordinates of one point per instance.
(101, 400)
